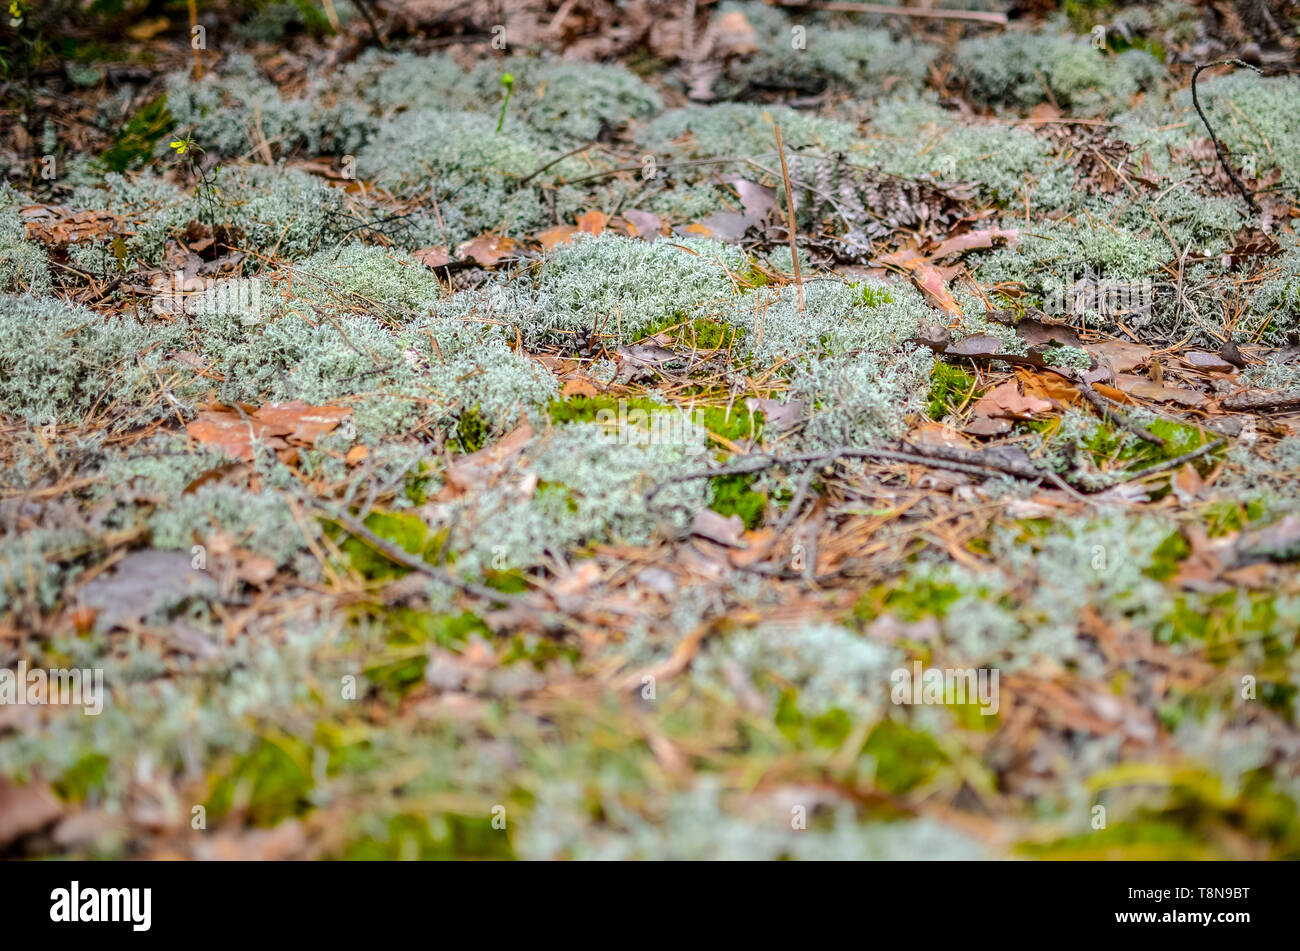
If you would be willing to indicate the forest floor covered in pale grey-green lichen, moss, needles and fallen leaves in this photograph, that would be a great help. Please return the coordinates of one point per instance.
(340, 423)
